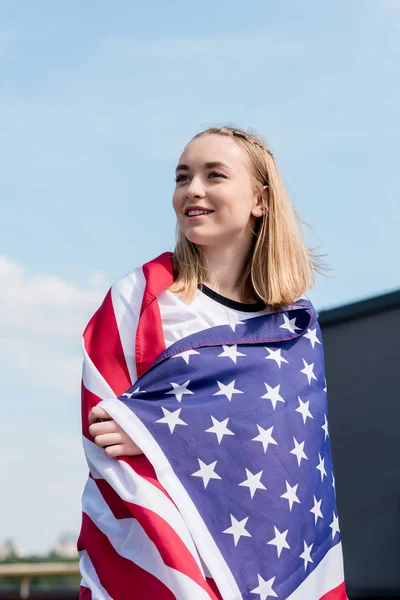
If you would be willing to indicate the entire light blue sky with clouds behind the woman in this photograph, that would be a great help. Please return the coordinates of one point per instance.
(96, 103)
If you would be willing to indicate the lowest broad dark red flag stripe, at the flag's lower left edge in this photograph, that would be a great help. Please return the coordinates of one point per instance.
(119, 576)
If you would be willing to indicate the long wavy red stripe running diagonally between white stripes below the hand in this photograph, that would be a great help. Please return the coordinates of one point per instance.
(173, 551)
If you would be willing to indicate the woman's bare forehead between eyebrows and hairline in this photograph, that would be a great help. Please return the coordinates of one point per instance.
(214, 148)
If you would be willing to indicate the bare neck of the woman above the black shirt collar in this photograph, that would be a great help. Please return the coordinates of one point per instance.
(223, 269)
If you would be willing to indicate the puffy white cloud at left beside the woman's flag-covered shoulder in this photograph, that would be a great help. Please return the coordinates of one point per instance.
(41, 319)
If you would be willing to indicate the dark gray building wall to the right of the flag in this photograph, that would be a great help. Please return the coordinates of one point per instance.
(363, 375)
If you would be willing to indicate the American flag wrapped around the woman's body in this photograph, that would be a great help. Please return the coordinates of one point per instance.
(234, 496)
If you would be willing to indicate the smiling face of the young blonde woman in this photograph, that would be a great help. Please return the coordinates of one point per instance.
(214, 174)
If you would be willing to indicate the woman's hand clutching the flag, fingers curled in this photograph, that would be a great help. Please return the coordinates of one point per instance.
(109, 435)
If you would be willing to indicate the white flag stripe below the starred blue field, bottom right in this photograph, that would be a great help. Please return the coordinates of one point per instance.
(327, 576)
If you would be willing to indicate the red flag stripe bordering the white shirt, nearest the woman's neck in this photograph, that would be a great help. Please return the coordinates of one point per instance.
(150, 341)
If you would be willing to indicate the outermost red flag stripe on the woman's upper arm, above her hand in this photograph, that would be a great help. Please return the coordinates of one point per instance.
(103, 344)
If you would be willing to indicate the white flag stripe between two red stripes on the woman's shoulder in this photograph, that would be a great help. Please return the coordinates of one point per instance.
(127, 295)
